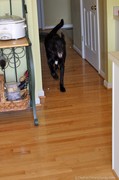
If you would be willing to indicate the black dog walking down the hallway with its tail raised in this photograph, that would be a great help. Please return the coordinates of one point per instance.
(55, 46)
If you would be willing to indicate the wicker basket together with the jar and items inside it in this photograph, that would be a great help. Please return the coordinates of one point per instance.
(13, 98)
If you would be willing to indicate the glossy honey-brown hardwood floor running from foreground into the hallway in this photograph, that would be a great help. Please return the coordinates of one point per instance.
(73, 141)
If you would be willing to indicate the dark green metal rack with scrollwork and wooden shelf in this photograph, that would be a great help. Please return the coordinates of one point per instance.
(23, 46)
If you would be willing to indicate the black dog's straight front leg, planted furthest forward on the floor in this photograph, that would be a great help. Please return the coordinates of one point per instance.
(62, 88)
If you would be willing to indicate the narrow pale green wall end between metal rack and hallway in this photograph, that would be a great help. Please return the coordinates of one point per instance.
(34, 36)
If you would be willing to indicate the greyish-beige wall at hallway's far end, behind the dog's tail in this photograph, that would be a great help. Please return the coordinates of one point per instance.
(54, 10)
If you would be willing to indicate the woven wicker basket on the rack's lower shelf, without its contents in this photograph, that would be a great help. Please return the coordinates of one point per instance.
(16, 105)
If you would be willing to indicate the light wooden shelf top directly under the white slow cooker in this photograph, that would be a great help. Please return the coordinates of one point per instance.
(14, 43)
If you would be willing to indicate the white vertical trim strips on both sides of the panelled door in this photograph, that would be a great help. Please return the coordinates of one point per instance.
(98, 32)
